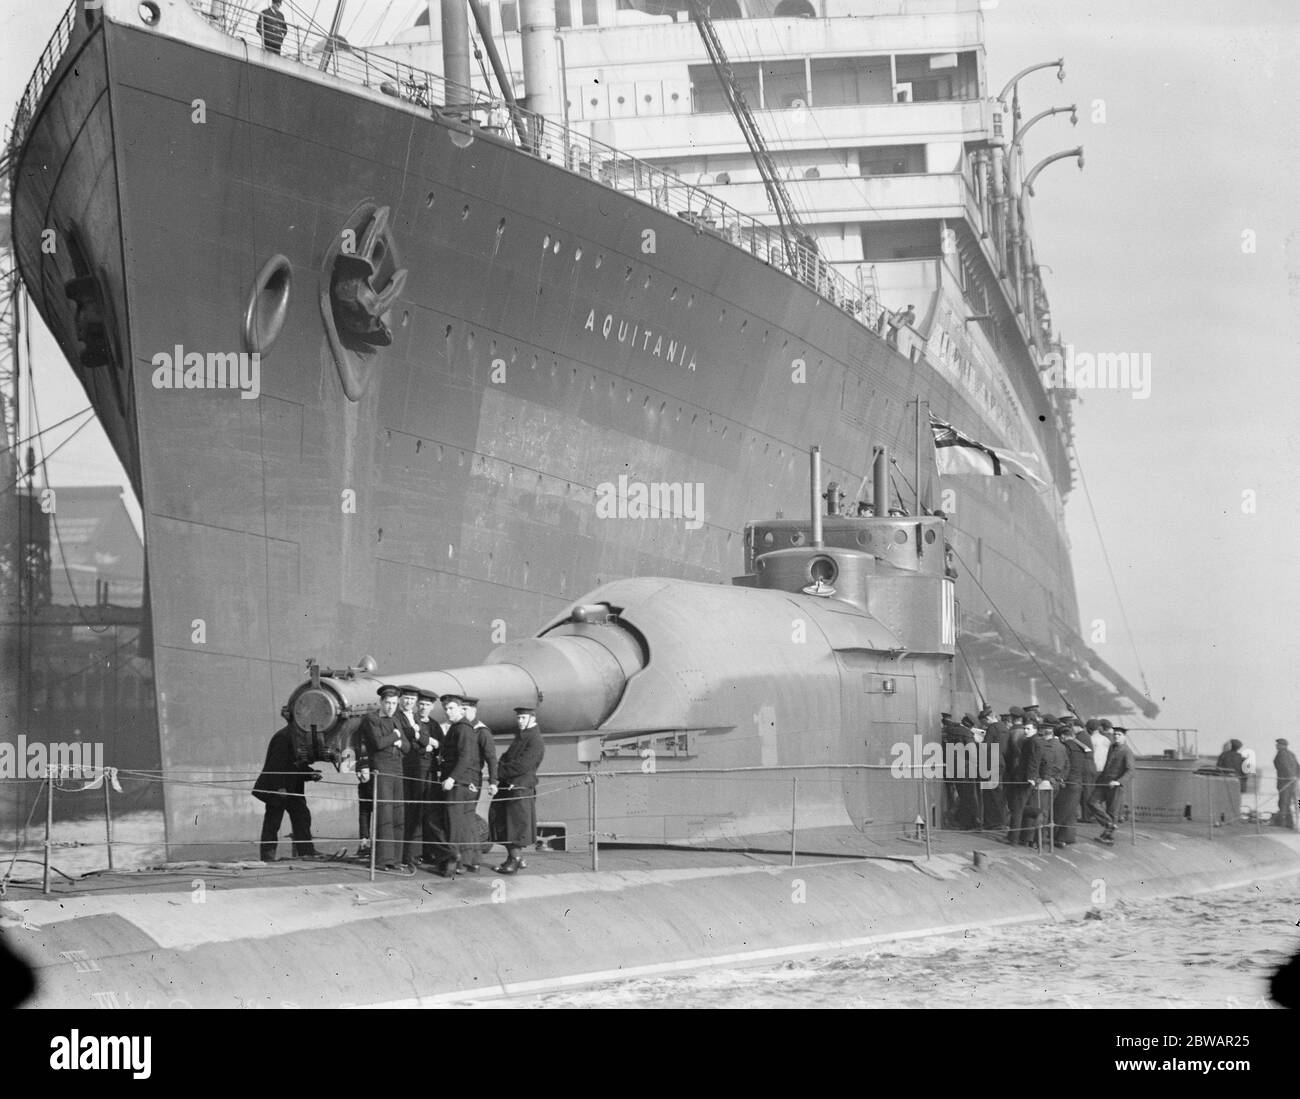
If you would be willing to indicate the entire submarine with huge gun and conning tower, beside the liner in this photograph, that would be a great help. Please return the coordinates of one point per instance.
(721, 790)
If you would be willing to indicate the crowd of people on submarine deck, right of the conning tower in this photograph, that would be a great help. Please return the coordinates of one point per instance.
(1052, 775)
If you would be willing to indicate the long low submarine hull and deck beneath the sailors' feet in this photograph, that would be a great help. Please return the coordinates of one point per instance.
(304, 933)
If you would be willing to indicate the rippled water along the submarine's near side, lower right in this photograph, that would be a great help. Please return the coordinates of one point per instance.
(1210, 951)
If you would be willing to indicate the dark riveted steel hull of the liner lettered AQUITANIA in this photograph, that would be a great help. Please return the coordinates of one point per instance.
(440, 496)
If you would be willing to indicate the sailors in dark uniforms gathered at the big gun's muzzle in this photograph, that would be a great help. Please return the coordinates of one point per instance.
(421, 784)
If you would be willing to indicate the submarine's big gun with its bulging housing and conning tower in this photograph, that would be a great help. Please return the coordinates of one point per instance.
(834, 647)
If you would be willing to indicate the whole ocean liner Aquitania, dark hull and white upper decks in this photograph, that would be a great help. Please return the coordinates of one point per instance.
(388, 362)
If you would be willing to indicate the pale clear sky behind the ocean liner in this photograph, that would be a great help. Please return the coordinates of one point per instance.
(1181, 240)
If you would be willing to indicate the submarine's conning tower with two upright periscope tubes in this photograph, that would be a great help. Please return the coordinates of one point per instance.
(891, 566)
